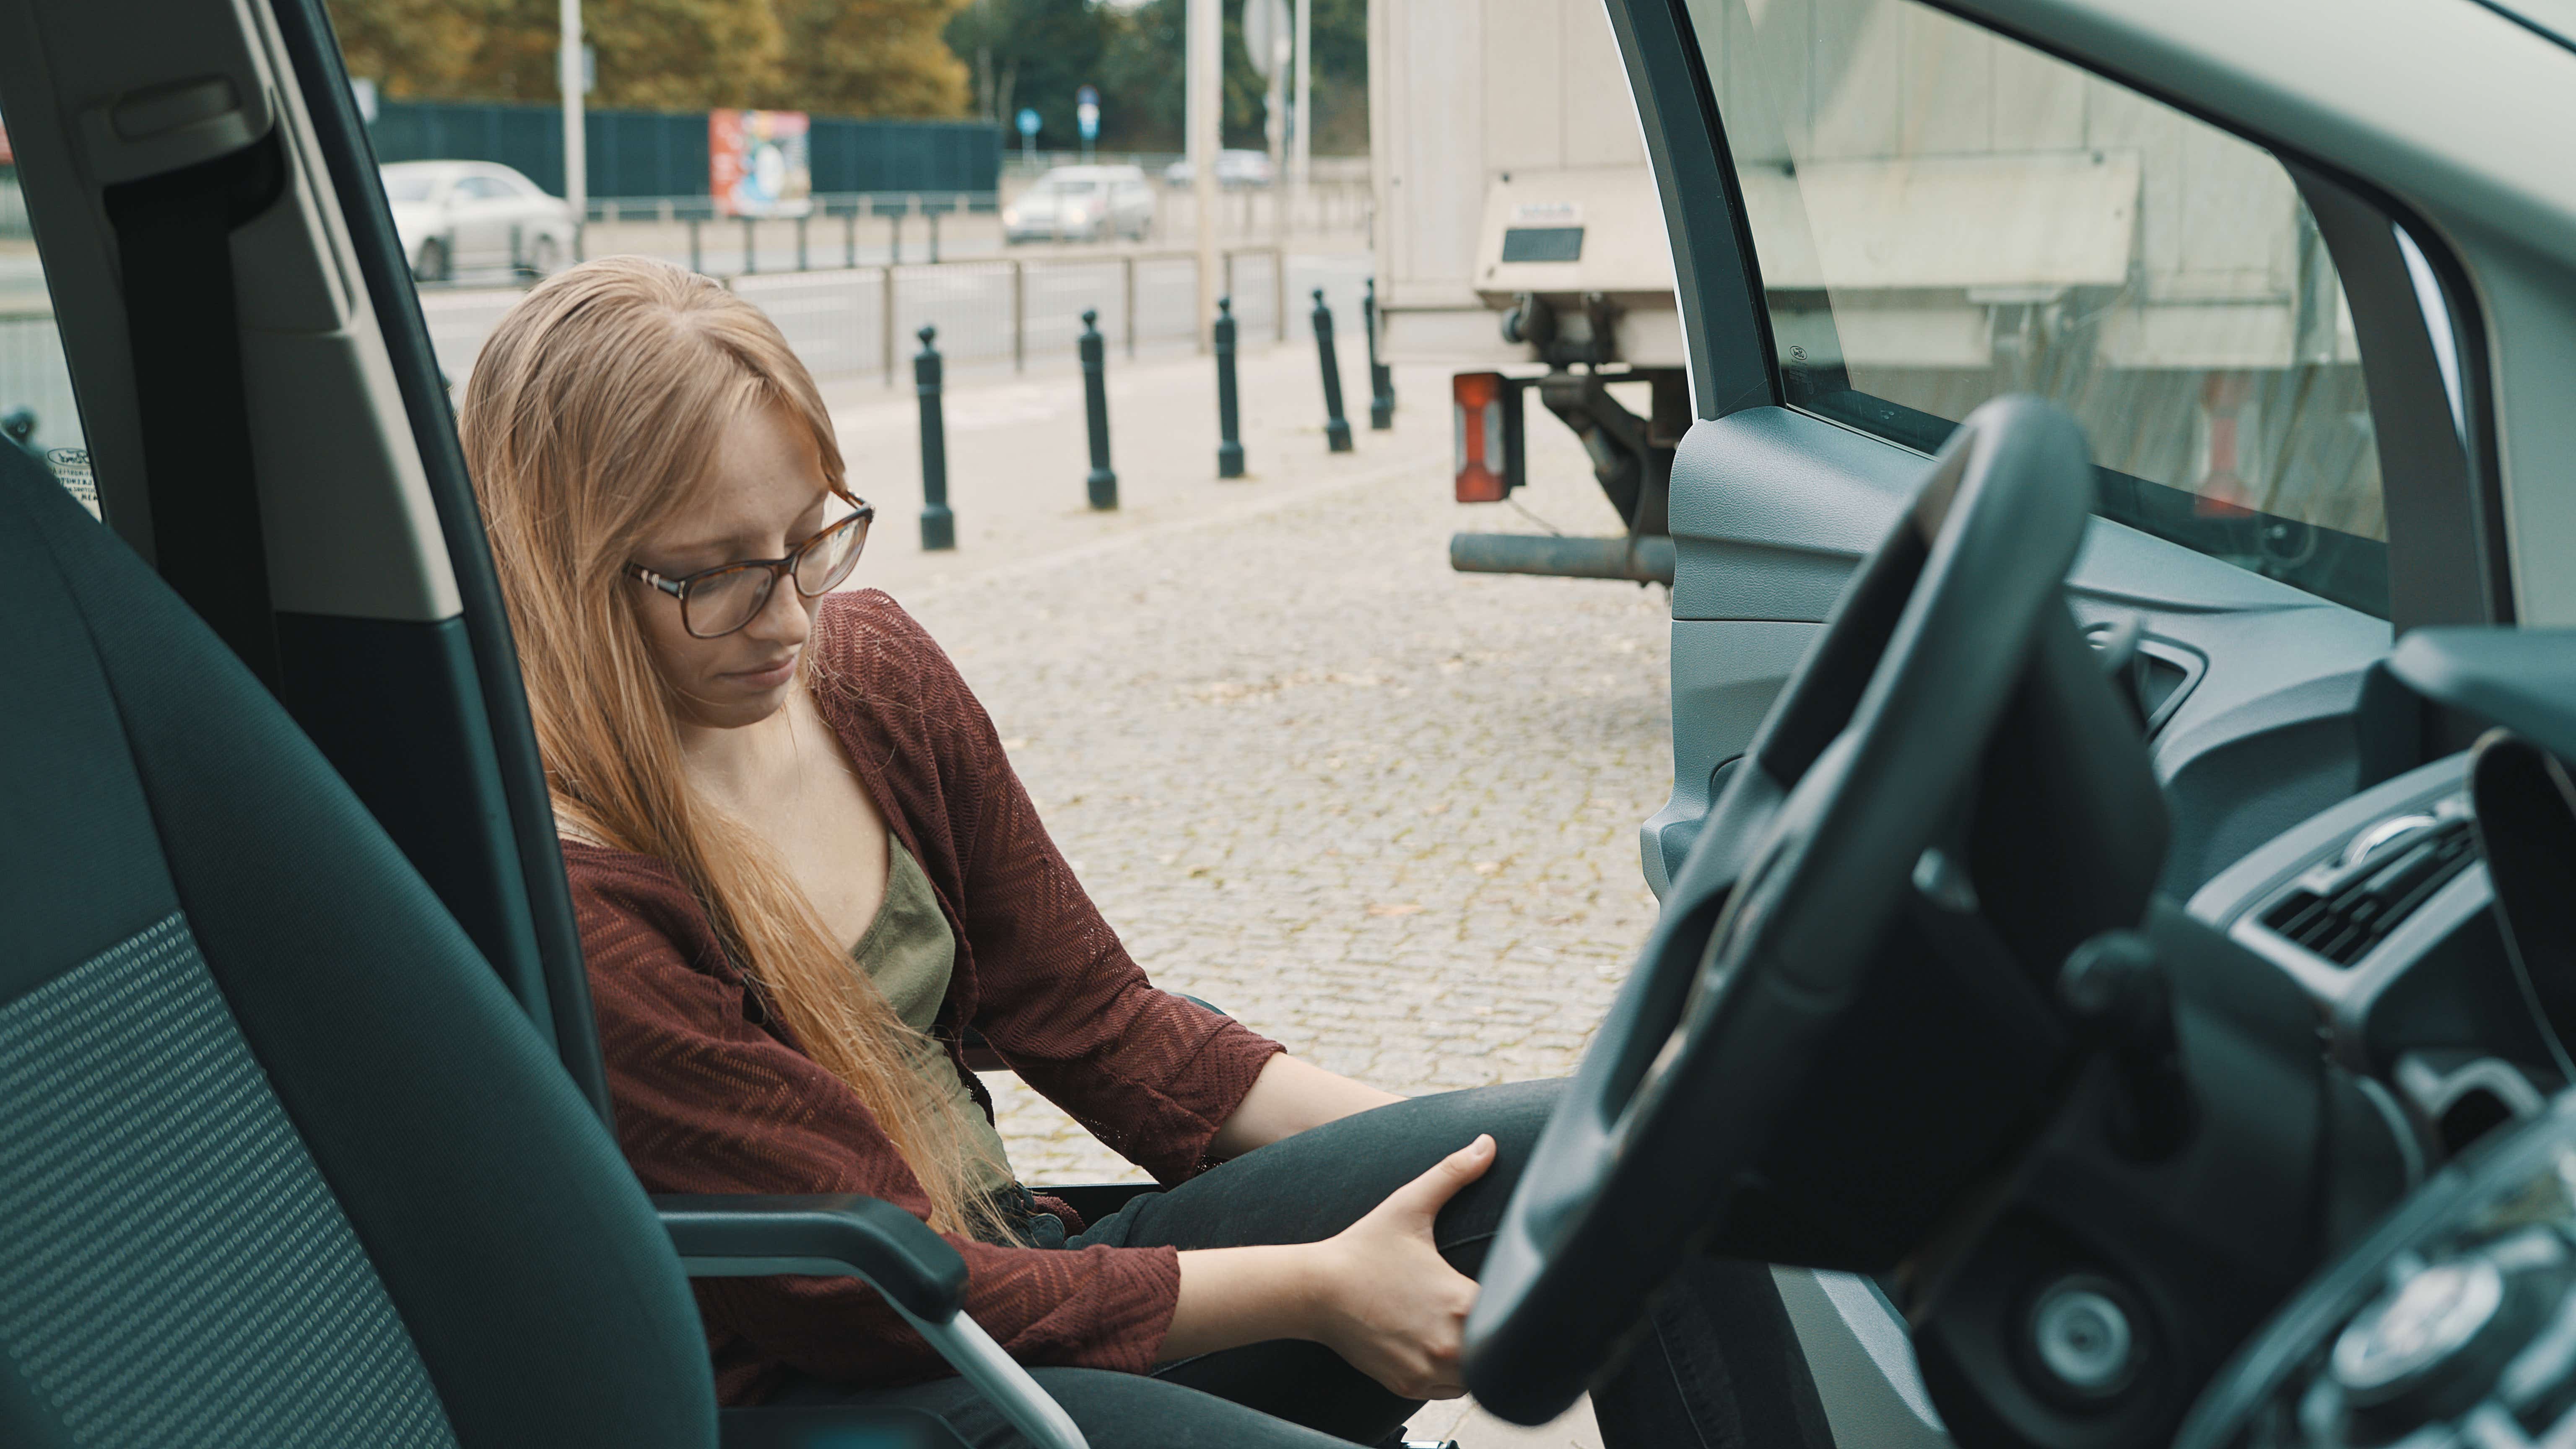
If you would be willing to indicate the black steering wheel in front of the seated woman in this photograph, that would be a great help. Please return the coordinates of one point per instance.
(1841, 811)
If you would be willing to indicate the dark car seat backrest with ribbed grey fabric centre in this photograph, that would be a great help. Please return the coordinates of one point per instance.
(279, 1159)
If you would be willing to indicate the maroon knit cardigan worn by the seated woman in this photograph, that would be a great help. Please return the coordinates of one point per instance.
(712, 1097)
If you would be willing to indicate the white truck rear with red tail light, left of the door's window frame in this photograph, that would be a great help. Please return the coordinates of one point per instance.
(1519, 241)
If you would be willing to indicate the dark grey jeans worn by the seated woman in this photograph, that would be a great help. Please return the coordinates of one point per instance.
(1717, 1370)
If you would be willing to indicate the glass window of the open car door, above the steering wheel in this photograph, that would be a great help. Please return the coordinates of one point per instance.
(1944, 215)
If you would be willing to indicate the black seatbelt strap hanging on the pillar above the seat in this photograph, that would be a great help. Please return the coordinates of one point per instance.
(174, 241)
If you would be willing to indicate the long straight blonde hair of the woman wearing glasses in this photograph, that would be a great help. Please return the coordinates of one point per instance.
(591, 416)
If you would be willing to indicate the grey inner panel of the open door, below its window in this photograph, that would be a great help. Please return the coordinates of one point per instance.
(1771, 514)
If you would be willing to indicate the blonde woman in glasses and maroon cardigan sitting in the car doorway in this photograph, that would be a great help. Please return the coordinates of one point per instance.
(805, 870)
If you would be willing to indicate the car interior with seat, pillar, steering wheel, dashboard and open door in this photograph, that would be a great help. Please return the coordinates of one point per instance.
(2116, 942)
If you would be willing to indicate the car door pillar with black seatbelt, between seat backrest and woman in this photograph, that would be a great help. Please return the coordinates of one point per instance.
(246, 393)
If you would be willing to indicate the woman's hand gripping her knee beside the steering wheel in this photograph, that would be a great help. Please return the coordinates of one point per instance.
(1390, 1301)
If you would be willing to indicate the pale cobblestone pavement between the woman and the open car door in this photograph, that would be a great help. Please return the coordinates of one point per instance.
(1374, 808)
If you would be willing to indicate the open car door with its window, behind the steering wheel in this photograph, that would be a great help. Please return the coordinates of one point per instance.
(1887, 215)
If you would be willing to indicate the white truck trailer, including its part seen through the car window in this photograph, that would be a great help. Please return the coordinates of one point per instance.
(1519, 238)
